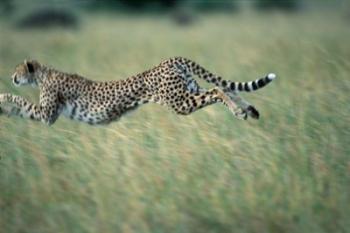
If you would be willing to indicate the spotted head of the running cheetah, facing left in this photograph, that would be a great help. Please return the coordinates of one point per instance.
(25, 73)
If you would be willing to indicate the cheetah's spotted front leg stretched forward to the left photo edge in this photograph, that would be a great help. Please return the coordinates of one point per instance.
(13, 105)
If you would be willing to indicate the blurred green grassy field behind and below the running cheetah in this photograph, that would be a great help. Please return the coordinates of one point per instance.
(154, 171)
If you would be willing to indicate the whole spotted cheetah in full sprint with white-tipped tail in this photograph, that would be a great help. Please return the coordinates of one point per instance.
(170, 84)
